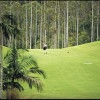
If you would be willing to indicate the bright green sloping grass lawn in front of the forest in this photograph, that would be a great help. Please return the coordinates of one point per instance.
(69, 75)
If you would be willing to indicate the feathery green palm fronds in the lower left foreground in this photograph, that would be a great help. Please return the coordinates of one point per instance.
(18, 67)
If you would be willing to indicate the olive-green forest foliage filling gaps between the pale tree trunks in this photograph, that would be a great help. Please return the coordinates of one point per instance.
(49, 21)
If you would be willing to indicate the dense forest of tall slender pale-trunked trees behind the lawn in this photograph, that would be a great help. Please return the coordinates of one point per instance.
(59, 24)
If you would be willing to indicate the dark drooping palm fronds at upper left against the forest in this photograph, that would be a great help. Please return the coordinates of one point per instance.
(9, 27)
